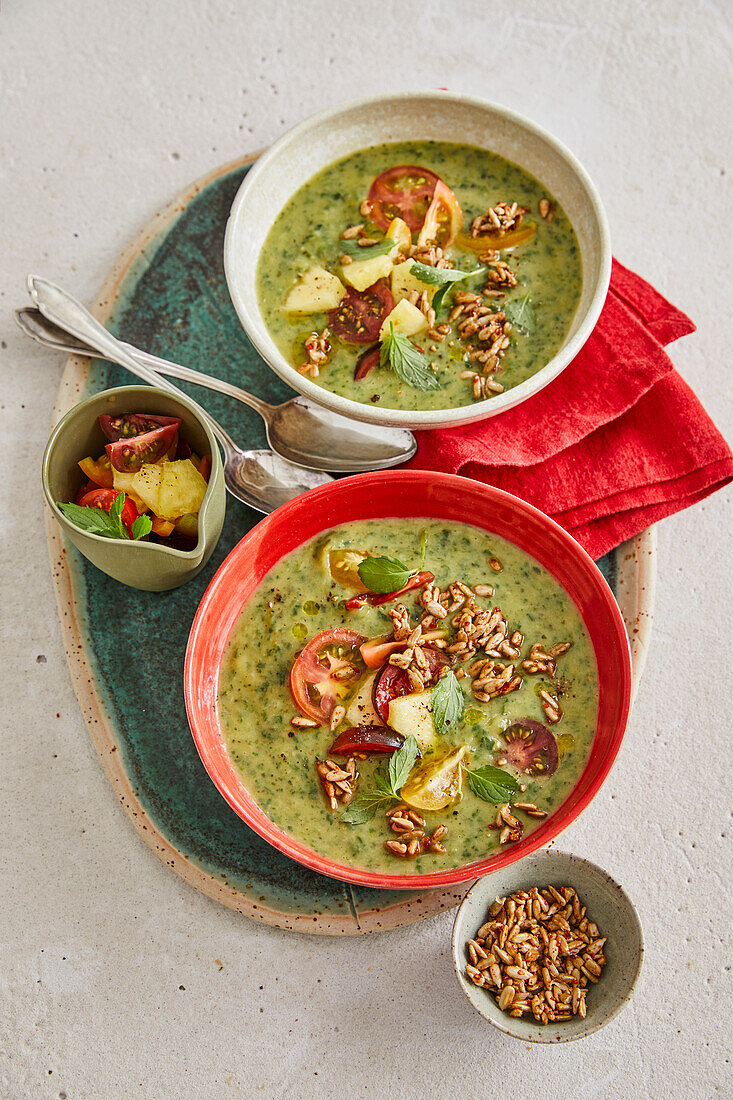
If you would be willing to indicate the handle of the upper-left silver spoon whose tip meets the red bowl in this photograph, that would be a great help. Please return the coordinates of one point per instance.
(64, 311)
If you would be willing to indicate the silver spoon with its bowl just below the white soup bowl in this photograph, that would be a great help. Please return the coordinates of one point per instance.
(299, 431)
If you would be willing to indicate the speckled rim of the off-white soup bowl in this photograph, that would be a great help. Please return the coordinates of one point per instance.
(248, 310)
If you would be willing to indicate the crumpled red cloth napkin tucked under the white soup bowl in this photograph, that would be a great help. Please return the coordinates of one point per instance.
(615, 444)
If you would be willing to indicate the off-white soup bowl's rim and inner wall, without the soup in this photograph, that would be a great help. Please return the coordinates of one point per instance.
(436, 116)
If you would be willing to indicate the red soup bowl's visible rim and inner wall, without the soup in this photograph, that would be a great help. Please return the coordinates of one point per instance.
(404, 494)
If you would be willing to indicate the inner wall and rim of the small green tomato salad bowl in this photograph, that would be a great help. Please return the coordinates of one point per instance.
(79, 435)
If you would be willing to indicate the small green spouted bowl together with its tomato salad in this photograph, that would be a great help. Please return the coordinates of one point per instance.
(135, 478)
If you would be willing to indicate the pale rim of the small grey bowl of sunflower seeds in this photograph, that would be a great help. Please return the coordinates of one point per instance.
(501, 1020)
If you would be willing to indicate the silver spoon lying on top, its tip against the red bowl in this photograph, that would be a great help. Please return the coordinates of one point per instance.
(261, 479)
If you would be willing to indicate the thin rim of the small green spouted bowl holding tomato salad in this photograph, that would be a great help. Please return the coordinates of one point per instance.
(59, 430)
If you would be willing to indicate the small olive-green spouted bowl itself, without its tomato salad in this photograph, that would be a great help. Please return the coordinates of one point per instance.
(150, 566)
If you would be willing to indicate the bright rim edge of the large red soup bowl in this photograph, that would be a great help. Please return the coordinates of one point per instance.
(204, 721)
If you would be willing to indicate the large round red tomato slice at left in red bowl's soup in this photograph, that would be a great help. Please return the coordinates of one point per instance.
(313, 686)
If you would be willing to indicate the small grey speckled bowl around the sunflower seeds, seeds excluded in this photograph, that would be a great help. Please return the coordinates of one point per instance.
(608, 907)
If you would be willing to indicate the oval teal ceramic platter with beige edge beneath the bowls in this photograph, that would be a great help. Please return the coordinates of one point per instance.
(168, 294)
